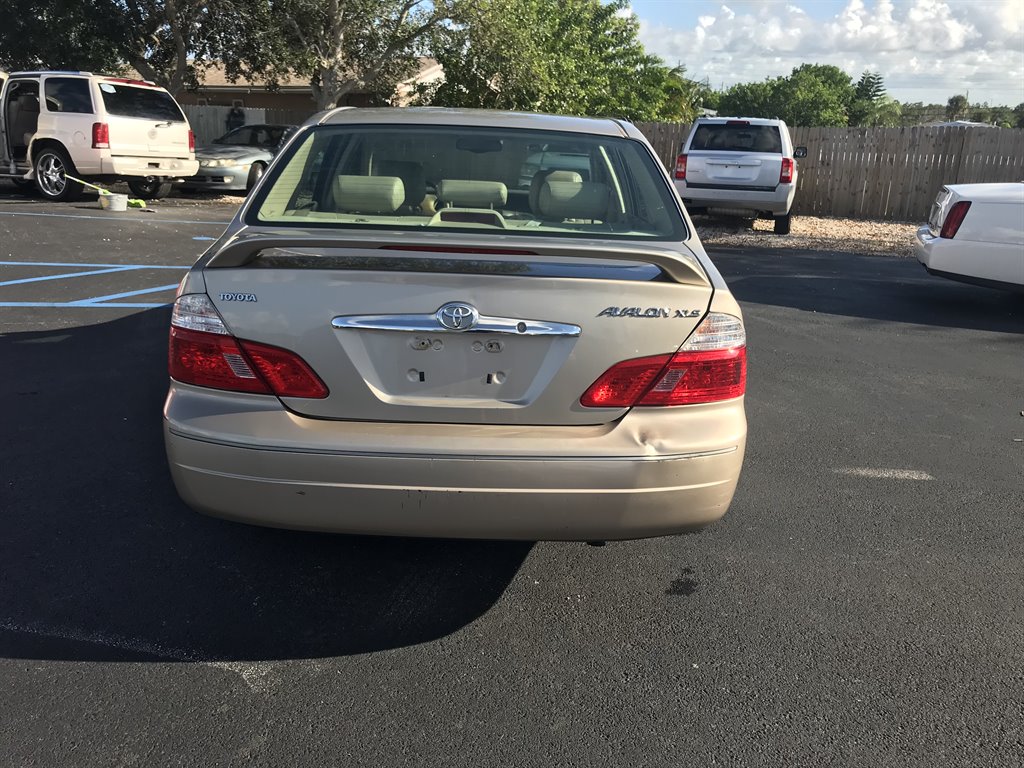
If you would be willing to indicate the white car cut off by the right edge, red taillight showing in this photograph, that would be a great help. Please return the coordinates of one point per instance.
(975, 235)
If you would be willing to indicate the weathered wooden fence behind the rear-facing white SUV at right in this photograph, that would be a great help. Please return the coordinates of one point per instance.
(881, 174)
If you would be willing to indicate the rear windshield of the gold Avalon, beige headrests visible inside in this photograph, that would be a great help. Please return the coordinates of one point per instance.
(510, 183)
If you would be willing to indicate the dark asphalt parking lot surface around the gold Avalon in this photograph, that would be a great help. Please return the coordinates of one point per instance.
(862, 605)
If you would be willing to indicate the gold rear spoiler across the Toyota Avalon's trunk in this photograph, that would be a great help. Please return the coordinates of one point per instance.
(244, 248)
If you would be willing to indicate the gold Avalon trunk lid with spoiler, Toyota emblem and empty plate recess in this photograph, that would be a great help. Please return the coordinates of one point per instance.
(458, 333)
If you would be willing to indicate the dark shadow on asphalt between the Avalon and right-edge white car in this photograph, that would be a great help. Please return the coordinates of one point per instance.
(879, 288)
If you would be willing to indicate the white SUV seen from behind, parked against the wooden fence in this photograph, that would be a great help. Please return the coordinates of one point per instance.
(745, 165)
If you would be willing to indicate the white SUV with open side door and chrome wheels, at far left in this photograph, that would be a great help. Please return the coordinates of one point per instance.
(93, 127)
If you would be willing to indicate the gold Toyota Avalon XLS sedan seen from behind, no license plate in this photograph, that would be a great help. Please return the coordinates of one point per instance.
(446, 323)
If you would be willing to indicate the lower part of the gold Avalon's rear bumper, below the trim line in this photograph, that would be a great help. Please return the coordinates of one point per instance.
(459, 498)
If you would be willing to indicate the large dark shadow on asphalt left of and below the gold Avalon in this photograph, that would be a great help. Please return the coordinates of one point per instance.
(101, 561)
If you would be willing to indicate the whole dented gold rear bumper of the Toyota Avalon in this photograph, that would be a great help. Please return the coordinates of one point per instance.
(395, 487)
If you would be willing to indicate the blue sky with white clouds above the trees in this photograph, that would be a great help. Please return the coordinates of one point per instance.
(926, 51)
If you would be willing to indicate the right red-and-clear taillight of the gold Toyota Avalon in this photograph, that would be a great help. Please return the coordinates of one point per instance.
(710, 367)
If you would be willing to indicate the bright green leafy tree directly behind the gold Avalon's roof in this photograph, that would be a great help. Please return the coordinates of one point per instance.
(571, 58)
